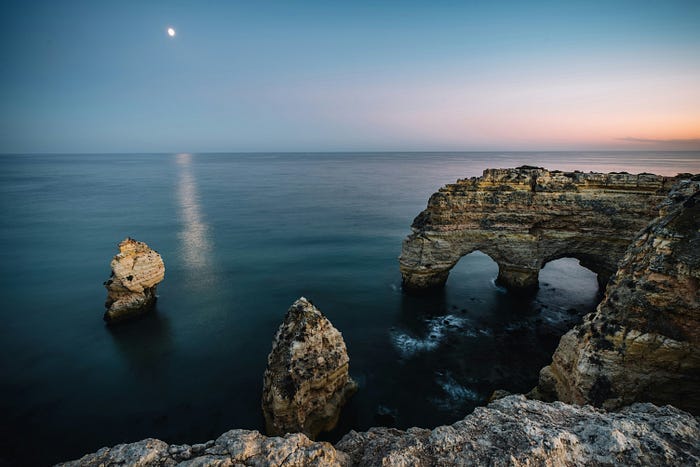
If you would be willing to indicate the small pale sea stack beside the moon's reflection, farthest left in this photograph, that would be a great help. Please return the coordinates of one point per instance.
(131, 289)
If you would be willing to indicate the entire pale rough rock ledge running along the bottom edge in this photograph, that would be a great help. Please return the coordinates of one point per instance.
(510, 431)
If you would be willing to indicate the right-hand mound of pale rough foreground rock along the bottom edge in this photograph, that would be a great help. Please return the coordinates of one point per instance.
(516, 431)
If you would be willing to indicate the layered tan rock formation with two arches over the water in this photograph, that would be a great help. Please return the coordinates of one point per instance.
(526, 217)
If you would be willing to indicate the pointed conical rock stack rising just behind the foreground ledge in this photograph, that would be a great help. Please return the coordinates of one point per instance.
(306, 381)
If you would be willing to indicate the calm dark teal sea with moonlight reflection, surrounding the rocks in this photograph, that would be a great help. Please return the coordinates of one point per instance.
(243, 236)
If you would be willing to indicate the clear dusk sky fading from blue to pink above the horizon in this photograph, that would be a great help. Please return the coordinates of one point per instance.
(354, 75)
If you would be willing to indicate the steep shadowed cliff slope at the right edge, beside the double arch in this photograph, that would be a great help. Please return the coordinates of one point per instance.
(643, 341)
